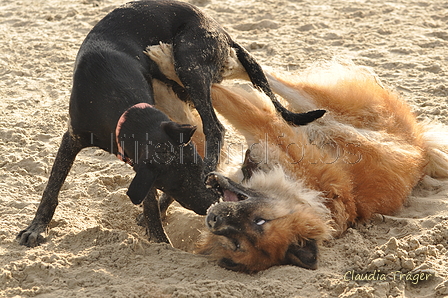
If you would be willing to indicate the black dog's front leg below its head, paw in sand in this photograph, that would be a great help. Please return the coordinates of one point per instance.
(151, 214)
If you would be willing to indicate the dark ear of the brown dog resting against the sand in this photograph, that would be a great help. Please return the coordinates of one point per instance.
(303, 256)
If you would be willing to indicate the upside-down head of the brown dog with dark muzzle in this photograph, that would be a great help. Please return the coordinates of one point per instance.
(253, 230)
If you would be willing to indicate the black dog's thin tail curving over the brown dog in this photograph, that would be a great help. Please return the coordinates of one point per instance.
(260, 82)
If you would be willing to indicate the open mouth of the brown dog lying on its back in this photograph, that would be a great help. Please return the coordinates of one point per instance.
(228, 190)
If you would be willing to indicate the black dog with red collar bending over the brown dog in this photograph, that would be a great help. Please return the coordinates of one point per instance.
(110, 107)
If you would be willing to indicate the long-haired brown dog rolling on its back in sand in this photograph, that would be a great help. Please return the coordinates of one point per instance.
(304, 184)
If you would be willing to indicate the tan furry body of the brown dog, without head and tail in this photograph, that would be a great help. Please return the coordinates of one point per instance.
(390, 150)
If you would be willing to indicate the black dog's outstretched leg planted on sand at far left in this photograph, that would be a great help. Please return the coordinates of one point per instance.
(69, 148)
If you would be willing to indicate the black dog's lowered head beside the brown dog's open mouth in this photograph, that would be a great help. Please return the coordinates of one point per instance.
(165, 159)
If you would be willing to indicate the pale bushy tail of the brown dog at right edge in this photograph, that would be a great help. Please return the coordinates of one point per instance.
(436, 140)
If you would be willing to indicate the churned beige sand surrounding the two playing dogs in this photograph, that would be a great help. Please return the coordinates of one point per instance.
(94, 247)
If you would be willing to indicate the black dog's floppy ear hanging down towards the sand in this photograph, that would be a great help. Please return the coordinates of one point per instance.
(141, 184)
